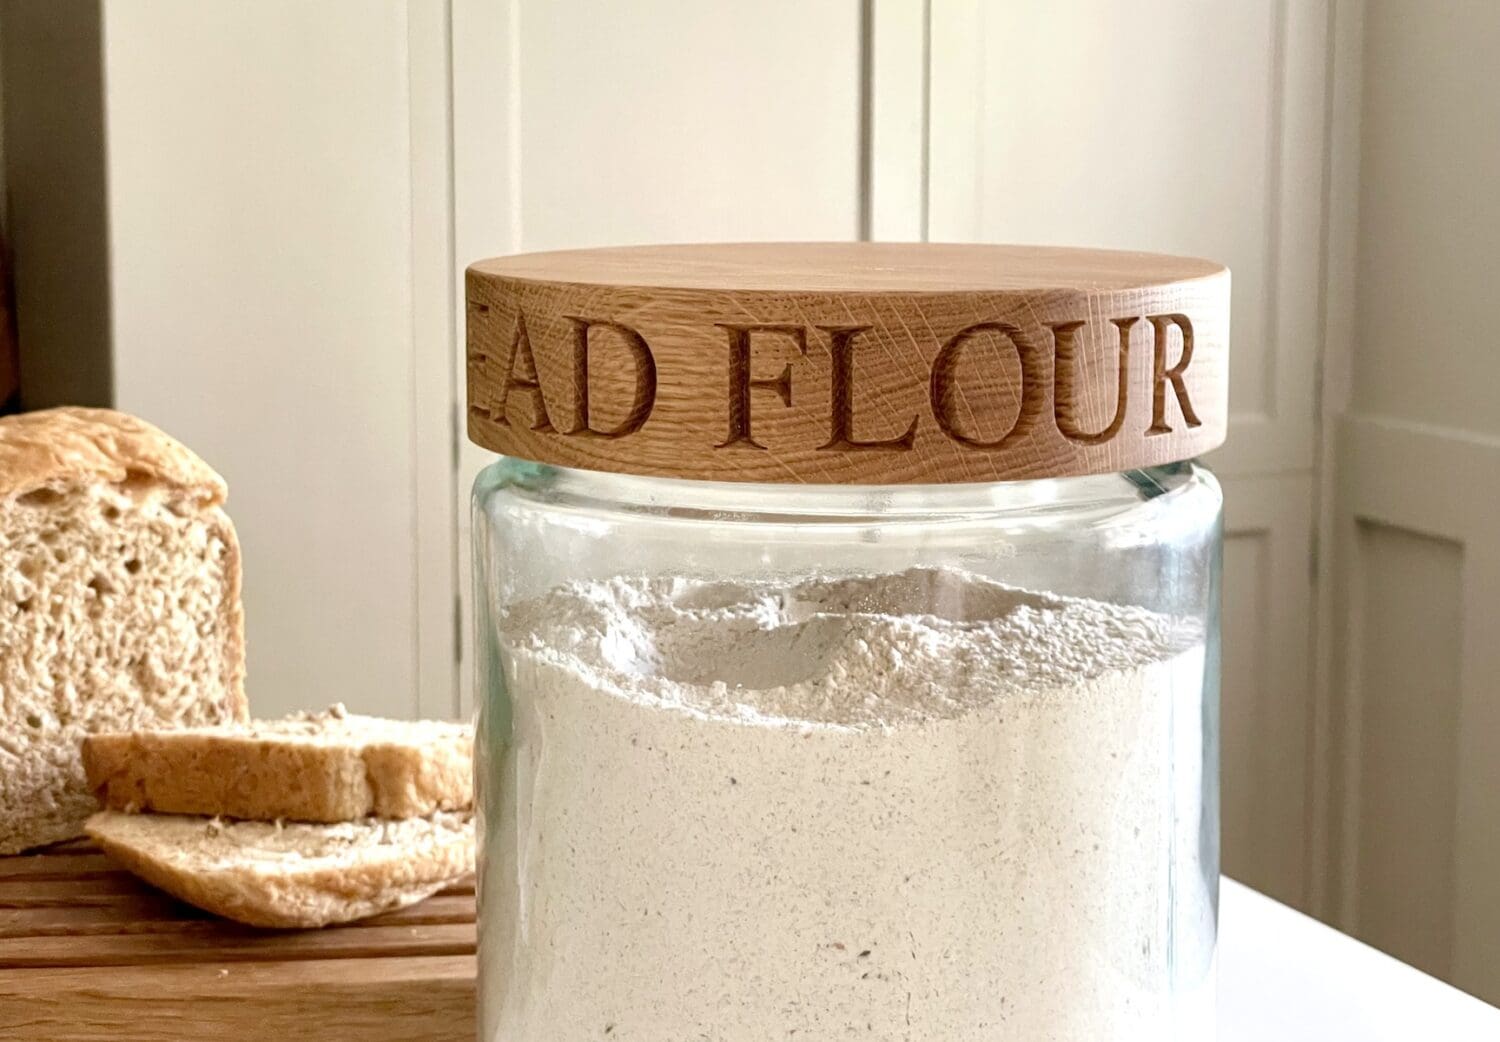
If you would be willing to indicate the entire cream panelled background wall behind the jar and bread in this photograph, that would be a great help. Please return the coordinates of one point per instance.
(292, 193)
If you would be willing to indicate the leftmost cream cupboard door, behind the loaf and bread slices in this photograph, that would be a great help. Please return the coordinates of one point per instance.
(260, 253)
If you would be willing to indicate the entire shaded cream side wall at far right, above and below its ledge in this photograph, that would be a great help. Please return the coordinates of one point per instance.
(1414, 511)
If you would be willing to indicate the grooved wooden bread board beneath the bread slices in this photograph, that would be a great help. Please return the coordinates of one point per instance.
(89, 953)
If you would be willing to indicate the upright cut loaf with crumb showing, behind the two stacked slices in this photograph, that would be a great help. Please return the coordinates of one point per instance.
(119, 603)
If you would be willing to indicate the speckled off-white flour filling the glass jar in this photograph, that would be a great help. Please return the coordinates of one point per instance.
(929, 828)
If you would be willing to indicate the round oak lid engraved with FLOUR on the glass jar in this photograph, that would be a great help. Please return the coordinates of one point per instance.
(848, 364)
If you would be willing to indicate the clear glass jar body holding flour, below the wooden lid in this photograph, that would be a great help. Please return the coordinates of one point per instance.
(908, 762)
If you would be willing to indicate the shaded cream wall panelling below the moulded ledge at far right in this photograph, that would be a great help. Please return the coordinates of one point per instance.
(1418, 867)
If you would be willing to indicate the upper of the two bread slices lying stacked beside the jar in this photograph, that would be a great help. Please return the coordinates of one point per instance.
(329, 767)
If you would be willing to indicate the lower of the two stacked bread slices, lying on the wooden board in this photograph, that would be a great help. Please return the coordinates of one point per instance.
(272, 875)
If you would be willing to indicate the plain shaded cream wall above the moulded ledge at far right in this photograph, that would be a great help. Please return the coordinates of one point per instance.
(1430, 217)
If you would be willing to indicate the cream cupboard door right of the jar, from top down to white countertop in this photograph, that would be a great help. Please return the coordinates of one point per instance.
(1184, 128)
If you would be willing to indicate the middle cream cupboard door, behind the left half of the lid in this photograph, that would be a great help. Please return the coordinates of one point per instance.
(667, 121)
